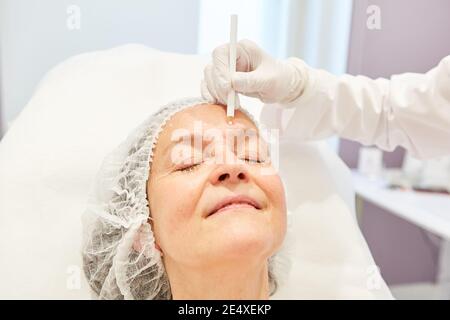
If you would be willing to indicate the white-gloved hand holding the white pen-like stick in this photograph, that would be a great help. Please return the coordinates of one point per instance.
(257, 75)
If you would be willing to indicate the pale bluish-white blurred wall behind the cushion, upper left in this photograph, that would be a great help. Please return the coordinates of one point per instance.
(38, 34)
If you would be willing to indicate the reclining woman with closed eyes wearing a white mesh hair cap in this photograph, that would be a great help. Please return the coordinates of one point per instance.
(199, 218)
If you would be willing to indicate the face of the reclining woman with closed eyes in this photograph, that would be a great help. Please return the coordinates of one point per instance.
(211, 201)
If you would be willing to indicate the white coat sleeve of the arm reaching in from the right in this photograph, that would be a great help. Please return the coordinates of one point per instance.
(409, 110)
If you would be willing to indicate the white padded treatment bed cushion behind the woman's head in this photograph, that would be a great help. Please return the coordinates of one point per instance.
(85, 107)
